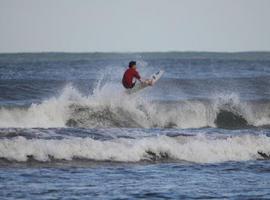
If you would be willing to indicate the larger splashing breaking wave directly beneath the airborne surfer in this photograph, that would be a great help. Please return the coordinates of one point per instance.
(109, 106)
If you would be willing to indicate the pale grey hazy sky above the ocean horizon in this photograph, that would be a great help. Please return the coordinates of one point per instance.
(134, 25)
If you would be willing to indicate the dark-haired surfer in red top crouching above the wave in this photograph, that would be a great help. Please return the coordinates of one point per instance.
(130, 74)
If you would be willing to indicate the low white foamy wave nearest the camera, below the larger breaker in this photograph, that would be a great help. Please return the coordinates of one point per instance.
(198, 149)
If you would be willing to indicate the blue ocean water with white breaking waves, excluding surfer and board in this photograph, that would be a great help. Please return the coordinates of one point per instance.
(68, 130)
